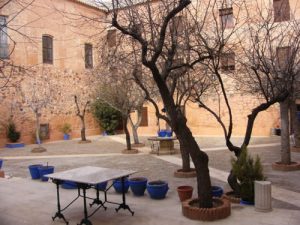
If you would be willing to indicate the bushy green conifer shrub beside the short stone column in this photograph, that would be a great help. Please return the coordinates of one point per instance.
(247, 170)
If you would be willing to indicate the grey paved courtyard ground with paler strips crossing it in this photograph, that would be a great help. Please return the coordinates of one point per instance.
(26, 201)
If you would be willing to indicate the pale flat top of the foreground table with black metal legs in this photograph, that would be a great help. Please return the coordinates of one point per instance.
(90, 174)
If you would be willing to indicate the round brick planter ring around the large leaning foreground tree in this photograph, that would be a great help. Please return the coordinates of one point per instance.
(220, 210)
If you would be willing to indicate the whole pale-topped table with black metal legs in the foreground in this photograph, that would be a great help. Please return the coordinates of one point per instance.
(88, 177)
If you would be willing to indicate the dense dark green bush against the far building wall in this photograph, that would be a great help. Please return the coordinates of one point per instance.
(107, 116)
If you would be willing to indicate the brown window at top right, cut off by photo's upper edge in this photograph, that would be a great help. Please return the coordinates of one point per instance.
(281, 10)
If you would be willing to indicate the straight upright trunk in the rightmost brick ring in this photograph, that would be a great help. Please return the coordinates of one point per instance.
(285, 137)
